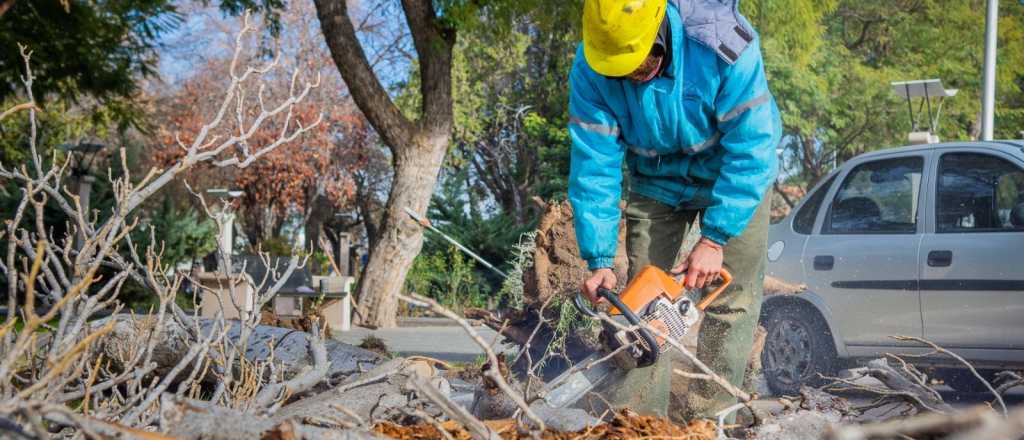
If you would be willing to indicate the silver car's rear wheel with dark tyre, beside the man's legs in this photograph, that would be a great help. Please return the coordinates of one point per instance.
(798, 350)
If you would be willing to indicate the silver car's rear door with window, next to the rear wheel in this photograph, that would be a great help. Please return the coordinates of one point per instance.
(864, 261)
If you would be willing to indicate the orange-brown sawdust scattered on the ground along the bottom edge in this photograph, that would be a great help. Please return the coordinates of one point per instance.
(627, 425)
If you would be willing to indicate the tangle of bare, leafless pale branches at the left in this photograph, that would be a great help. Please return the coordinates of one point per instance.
(56, 354)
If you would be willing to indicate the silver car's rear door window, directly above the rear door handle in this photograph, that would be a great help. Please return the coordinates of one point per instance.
(879, 197)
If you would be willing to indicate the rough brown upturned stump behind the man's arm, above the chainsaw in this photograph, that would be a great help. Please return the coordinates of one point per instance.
(558, 267)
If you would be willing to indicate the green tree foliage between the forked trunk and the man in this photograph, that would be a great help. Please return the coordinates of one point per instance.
(510, 104)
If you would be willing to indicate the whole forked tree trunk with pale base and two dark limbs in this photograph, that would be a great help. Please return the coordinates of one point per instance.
(418, 148)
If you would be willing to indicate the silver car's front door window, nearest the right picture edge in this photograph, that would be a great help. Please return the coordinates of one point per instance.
(979, 194)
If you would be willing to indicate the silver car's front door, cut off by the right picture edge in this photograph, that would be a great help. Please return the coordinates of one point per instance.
(972, 267)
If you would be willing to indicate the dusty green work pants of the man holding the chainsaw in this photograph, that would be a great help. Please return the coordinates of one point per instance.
(655, 235)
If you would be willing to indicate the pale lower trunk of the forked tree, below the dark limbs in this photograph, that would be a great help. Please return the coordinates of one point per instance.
(401, 239)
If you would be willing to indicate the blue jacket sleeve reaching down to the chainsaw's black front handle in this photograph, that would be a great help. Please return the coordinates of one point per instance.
(596, 171)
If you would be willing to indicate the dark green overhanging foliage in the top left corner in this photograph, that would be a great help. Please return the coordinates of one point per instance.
(94, 50)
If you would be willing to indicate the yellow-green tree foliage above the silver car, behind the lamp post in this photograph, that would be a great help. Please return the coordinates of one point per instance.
(831, 64)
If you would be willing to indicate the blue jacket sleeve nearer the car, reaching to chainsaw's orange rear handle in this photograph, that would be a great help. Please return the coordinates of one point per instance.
(752, 129)
